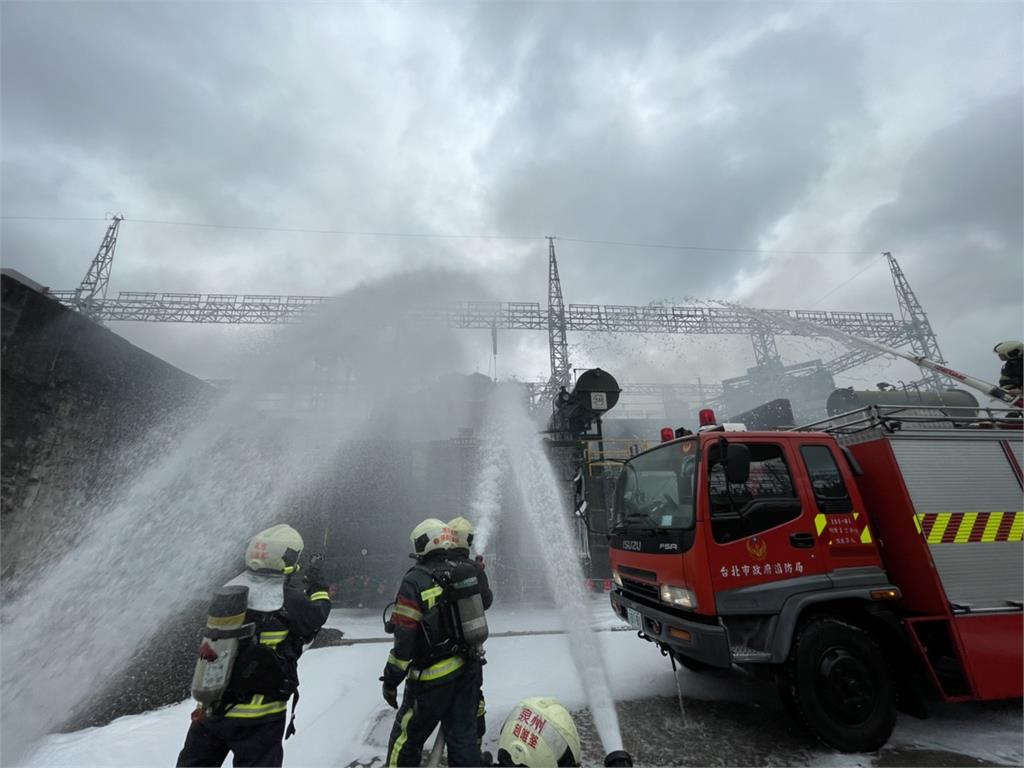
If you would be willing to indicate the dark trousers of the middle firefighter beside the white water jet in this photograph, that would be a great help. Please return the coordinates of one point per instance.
(453, 703)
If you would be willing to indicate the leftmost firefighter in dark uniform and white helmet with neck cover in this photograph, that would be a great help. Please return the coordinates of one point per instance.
(250, 719)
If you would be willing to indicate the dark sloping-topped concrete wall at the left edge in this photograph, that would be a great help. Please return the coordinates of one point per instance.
(74, 395)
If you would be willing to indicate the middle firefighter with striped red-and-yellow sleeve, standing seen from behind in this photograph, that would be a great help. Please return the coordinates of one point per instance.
(431, 654)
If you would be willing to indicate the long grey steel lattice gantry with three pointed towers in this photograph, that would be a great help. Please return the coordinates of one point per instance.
(560, 319)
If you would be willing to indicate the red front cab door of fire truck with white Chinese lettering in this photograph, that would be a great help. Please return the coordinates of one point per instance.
(761, 531)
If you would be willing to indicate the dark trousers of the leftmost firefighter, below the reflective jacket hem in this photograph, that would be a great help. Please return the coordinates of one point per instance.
(254, 743)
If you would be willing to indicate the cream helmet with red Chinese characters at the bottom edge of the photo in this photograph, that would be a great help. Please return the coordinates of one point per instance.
(539, 733)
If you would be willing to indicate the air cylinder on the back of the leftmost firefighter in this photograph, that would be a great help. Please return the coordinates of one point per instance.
(220, 648)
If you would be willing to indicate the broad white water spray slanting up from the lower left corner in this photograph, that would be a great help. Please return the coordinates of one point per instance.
(178, 504)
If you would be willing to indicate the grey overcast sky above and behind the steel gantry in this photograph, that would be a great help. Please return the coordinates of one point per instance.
(855, 127)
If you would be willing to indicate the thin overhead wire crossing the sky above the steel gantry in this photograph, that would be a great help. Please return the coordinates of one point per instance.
(446, 236)
